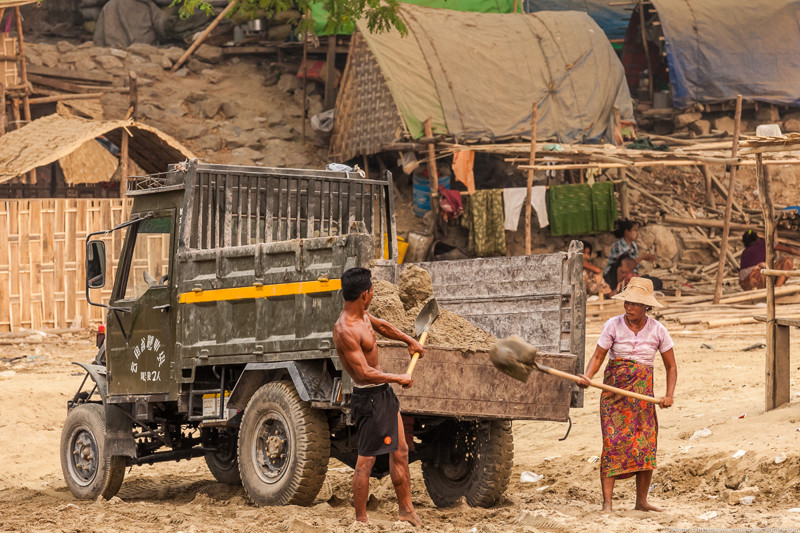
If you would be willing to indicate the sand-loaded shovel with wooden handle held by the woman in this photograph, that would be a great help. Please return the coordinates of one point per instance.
(517, 358)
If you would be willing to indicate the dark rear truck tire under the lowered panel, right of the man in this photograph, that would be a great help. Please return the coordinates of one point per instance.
(481, 468)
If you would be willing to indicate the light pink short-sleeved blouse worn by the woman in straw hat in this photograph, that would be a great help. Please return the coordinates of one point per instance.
(622, 343)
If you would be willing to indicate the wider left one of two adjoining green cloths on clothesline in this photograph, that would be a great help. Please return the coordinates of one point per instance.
(570, 209)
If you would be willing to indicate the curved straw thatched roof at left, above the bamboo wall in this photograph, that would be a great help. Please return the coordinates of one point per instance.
(54, 137)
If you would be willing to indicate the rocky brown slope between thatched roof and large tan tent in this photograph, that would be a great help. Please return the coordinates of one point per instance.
(236, 111)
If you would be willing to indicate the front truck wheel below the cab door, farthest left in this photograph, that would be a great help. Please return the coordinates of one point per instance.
(87, 472)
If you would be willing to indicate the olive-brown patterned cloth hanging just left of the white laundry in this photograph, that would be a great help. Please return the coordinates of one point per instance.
(483, 216)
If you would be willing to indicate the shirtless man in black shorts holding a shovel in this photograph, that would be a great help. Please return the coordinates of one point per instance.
(376, 409)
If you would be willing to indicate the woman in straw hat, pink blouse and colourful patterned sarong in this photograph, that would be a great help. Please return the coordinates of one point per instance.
(630, 427)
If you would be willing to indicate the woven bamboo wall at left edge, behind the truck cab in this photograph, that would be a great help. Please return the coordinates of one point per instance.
(42, 254)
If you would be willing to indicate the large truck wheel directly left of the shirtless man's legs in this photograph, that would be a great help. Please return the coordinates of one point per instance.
(284, 447)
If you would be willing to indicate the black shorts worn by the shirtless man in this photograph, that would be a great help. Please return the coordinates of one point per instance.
(375, 413)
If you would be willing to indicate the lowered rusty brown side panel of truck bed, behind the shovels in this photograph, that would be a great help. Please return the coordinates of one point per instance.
(464, 384)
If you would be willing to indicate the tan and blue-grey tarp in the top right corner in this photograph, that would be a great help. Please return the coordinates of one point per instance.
(717, 49)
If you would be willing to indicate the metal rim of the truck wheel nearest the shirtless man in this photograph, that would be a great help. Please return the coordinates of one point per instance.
(271, 450)
